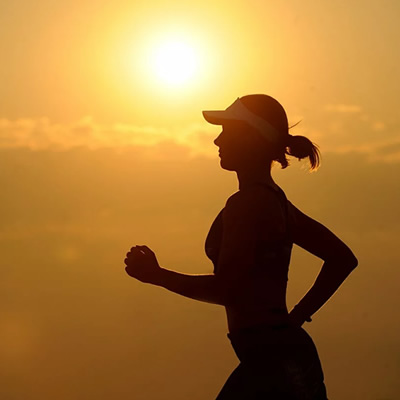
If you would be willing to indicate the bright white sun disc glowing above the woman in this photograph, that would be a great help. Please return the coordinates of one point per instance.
(175, 62)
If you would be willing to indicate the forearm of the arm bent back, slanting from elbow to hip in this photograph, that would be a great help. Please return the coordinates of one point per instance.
(331, 276)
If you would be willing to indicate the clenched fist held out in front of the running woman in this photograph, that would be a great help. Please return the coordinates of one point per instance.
(141, 263)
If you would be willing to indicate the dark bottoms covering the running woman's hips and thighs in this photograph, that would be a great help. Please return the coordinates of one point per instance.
(276, 363)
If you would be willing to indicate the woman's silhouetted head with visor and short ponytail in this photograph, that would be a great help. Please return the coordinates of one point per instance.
(256, 132)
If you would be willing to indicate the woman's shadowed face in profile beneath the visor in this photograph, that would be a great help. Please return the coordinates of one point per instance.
(240, 146)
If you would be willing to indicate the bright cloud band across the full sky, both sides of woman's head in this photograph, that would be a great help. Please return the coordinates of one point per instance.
(194, 139)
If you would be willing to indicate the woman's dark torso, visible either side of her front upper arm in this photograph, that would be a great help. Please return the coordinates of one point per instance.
(266, 300)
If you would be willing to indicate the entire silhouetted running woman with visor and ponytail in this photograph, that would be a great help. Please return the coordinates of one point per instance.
(250, 244)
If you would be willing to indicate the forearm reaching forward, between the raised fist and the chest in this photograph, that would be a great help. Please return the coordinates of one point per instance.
(204, 288)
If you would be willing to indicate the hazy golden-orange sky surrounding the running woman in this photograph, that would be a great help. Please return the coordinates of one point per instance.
(100, 150)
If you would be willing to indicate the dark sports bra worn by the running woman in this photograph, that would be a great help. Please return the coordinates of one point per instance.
(272, 254)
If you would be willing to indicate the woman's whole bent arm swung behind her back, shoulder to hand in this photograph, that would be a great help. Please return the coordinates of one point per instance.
(338, 259)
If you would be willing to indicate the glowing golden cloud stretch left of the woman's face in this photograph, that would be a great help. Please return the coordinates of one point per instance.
(42, 134)
